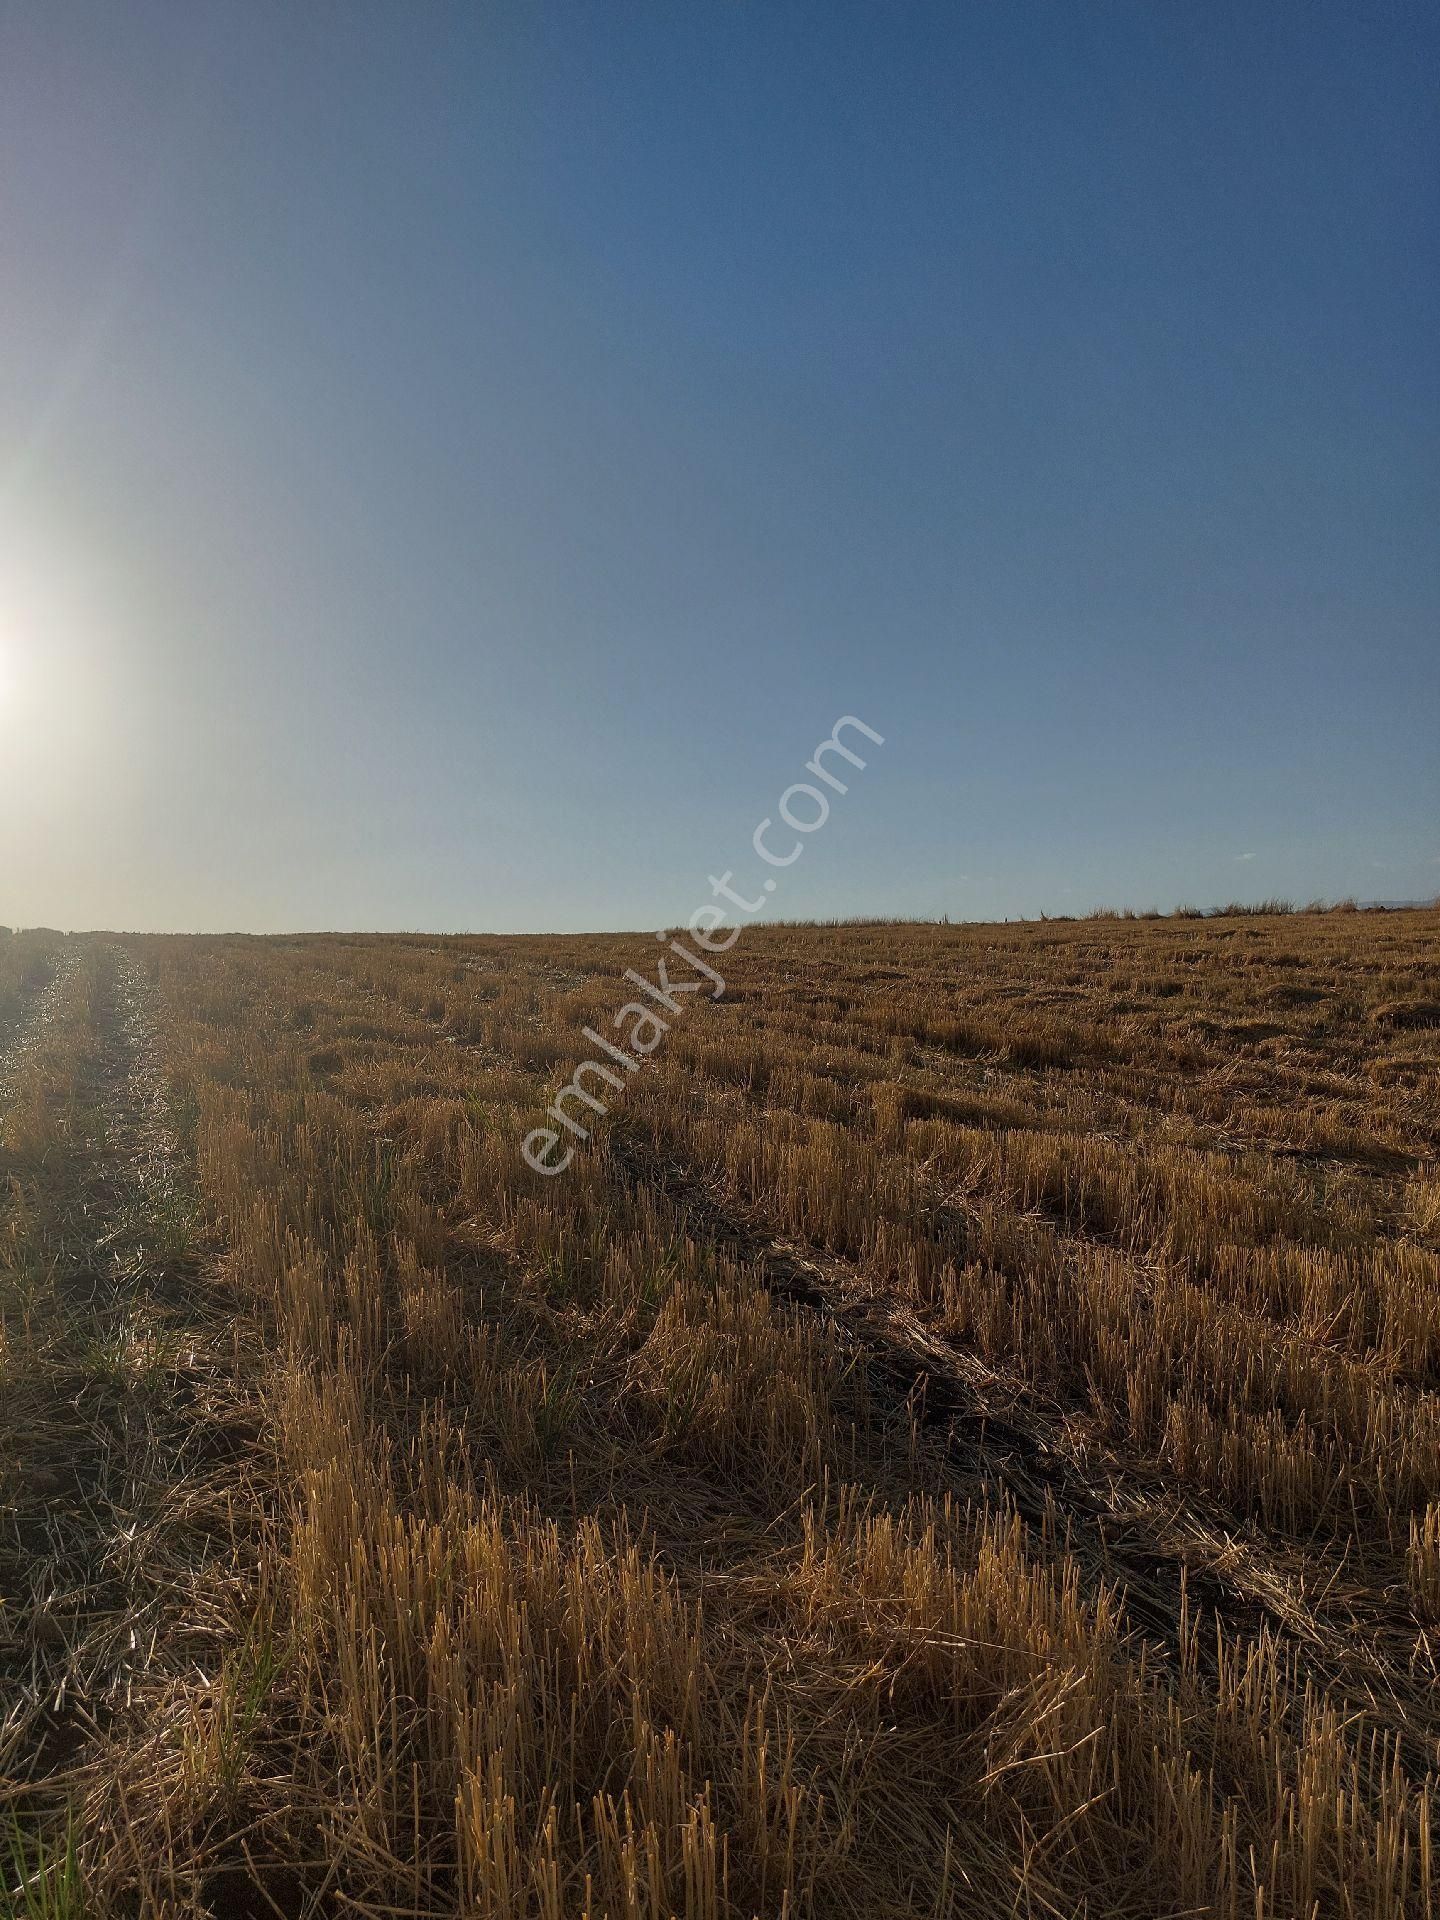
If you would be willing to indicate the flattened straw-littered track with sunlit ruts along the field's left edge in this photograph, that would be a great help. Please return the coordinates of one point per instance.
(116, 1535)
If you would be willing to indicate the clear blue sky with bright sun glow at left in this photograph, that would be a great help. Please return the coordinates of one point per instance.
(458, 462)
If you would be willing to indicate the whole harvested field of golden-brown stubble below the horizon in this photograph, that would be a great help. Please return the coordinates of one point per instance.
(961, 1439)
